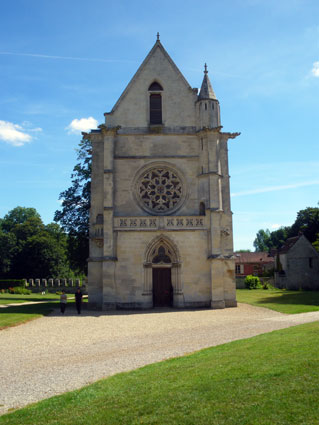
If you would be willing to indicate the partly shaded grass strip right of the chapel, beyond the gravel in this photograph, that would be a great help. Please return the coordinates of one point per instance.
(289, 302)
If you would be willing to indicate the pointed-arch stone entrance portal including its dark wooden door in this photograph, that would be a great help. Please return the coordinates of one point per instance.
(162, 281)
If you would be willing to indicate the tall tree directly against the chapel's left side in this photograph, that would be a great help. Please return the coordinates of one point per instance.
(74, 216)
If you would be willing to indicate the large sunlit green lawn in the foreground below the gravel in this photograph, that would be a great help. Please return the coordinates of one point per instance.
(269, 379)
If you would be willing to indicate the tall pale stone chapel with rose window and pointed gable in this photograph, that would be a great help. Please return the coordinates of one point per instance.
(160, 219)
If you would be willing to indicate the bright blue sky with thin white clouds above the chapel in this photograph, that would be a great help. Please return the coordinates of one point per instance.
(64, 63)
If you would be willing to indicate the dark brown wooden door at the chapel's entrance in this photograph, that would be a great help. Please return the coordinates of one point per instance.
(162, 287)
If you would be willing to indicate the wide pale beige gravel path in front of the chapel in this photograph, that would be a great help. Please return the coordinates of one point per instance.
(56, 353)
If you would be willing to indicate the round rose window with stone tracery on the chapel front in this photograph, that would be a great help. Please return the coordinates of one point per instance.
(160, 190)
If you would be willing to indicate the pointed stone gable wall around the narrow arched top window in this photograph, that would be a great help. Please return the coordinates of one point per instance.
(132, 108)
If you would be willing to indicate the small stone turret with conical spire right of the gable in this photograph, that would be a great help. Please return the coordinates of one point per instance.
(208, 111)
